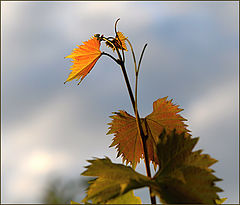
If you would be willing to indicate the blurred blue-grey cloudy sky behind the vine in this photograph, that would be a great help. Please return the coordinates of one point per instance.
(50, 129)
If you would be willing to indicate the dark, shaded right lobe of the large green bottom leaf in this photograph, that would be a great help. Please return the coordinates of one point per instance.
(184, 176)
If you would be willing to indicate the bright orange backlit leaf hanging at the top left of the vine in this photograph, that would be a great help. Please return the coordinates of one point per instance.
(84, 58)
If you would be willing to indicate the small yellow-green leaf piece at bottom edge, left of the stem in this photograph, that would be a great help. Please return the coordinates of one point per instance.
(127, 198)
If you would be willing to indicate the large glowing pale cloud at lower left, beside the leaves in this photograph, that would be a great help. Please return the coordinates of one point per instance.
(42, 144)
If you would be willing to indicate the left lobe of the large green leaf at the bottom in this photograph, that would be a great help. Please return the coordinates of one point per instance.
(112, 180)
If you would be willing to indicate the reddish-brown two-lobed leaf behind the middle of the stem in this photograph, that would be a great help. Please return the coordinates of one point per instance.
(127, 140)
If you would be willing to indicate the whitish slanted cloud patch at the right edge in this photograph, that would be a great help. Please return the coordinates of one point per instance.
(217, 103)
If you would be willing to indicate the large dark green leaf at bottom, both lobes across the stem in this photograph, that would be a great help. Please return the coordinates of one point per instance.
(183, 176)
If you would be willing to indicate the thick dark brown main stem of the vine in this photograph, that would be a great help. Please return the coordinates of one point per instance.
(140, 130)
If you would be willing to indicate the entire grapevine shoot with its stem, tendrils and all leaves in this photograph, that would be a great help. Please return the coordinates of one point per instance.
(182, 176)
